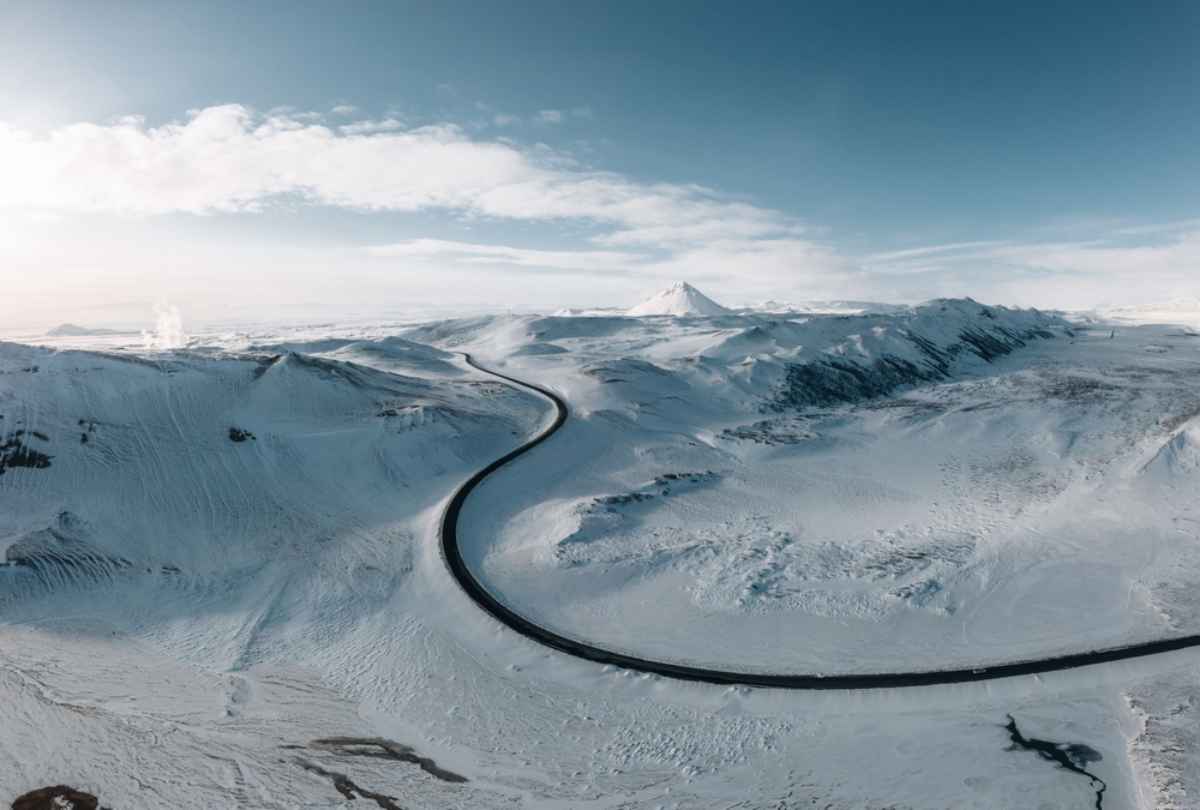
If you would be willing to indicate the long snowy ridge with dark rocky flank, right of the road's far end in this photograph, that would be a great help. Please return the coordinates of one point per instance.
(754, 362)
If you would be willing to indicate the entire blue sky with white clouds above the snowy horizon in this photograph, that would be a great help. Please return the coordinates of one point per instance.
(362, 158)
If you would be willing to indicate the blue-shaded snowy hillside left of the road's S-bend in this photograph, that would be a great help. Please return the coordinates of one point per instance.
(181, 472)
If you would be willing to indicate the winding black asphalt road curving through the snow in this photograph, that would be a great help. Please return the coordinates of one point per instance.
(530, 629)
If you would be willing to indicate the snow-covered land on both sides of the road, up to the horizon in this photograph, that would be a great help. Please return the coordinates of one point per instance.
(223, 584)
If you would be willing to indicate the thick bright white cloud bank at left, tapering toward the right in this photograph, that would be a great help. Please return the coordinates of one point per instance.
(230, 159)
